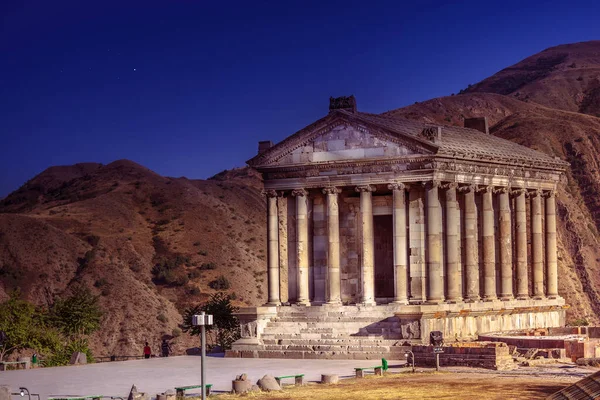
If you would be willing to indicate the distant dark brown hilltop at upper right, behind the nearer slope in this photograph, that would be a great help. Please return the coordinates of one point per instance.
(565, 77)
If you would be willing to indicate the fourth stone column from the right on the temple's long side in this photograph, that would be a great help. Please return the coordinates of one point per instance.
(506, 275)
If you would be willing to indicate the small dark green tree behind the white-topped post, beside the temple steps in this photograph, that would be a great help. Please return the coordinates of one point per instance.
(225, 329)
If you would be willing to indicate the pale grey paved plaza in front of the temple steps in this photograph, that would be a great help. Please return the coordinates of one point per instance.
(156, 375)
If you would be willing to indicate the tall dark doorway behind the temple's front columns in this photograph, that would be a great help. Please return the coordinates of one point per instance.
(384, 256)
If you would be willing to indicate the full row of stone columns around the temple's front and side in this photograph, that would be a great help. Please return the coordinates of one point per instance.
(448, 276)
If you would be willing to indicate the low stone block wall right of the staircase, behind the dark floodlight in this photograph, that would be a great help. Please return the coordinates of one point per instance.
(490, 355)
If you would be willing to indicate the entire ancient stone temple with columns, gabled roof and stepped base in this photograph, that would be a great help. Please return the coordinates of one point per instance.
(382, 229)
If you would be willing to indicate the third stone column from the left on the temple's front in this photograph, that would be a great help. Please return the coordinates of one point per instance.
(333, 248)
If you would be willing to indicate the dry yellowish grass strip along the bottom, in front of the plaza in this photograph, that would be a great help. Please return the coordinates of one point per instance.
(421, 386)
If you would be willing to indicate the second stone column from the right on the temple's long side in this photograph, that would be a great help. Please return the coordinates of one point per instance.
(537, 244)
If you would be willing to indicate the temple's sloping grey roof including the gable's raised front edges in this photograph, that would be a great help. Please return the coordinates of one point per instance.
(455, 142)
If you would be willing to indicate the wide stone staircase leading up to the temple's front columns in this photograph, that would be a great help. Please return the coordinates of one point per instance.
(330, 332)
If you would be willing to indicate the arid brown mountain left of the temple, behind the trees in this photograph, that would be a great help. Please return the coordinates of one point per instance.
(108, 227)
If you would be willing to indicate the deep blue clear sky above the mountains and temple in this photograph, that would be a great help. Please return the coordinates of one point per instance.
(188, 87)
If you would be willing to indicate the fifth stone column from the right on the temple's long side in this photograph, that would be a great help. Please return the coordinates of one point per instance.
(489, 245)
